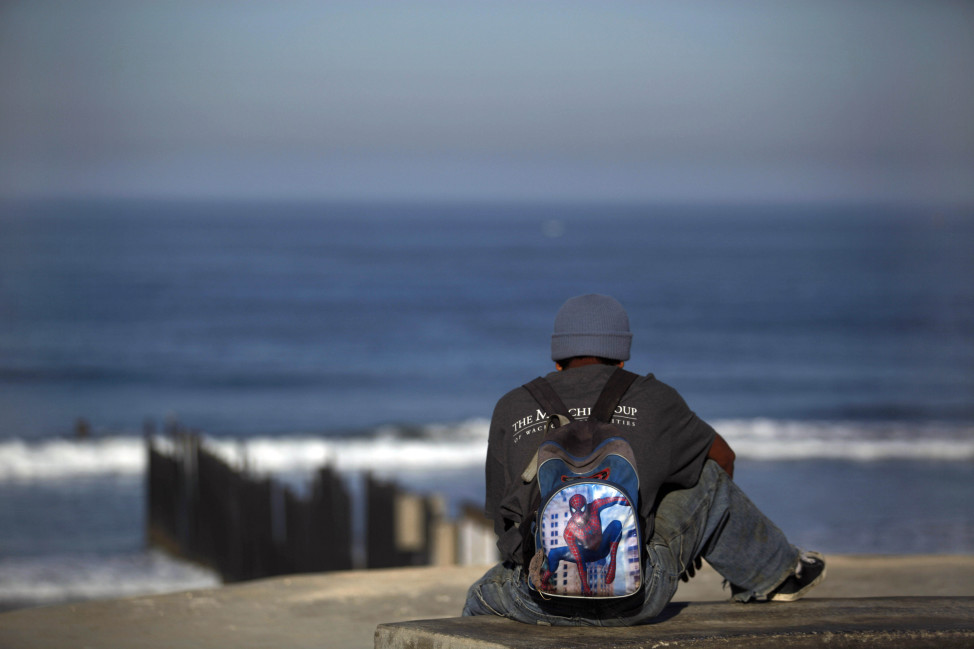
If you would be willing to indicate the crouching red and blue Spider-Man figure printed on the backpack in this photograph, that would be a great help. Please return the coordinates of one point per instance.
(586, 539)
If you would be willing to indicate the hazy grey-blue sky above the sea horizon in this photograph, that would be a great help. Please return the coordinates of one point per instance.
(718, 100)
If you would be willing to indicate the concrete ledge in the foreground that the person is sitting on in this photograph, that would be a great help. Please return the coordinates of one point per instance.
(869, 622)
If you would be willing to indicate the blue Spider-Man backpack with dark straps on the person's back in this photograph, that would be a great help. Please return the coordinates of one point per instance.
(587, 530)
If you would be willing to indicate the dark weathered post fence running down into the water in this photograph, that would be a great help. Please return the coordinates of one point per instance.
(247, 526)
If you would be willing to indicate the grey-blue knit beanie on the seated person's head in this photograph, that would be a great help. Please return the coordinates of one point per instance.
(591, 325)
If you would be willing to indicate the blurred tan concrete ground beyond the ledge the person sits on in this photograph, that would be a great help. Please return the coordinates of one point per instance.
(343, 610)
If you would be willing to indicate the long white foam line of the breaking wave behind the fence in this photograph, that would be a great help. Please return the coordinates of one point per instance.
(462, 446)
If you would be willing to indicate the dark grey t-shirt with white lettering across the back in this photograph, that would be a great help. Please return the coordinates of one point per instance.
(669, 441)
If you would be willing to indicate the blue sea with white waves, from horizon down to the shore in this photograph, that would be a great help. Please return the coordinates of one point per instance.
(832, 345)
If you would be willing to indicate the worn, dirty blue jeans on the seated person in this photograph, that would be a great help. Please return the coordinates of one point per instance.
(713, 519)
